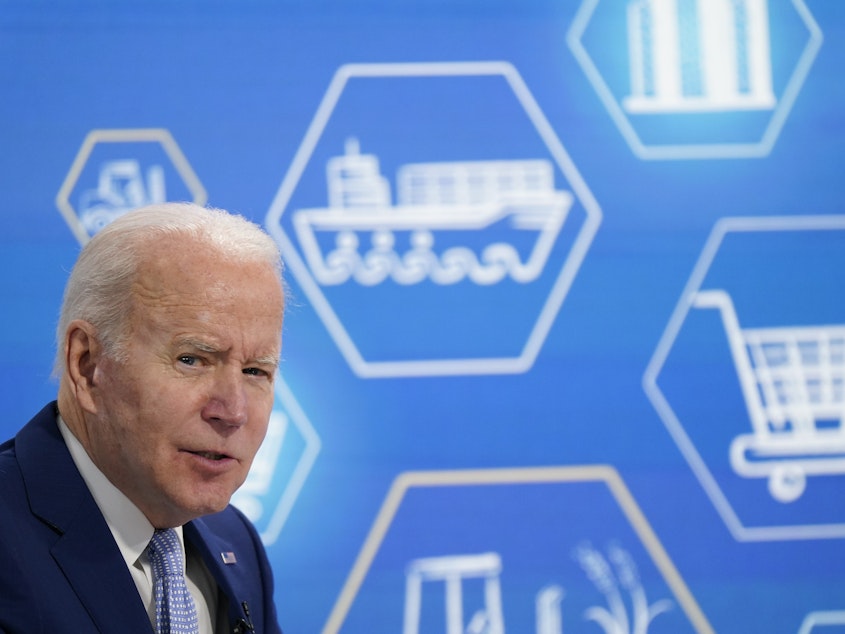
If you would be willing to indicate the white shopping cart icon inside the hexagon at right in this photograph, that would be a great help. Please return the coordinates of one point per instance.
(793, 382)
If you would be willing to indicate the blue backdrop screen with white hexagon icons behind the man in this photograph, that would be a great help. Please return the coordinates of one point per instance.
(564, 348)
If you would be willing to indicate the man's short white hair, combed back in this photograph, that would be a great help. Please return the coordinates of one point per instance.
(99, 289)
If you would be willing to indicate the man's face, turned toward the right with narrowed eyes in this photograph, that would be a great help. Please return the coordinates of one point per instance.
(178, 424)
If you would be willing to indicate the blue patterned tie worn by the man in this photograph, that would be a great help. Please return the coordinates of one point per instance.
(175, 609)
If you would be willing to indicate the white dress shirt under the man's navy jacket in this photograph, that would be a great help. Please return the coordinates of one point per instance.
(132, 532)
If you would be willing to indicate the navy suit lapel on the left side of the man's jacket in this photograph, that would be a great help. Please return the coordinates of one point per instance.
(84, 548)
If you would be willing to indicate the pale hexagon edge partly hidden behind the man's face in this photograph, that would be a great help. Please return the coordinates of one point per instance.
(303, 466)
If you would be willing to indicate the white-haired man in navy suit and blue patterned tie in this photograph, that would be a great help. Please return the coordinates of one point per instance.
(168, 345)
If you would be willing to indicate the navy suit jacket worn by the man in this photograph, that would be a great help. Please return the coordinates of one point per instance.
(60, 568)
